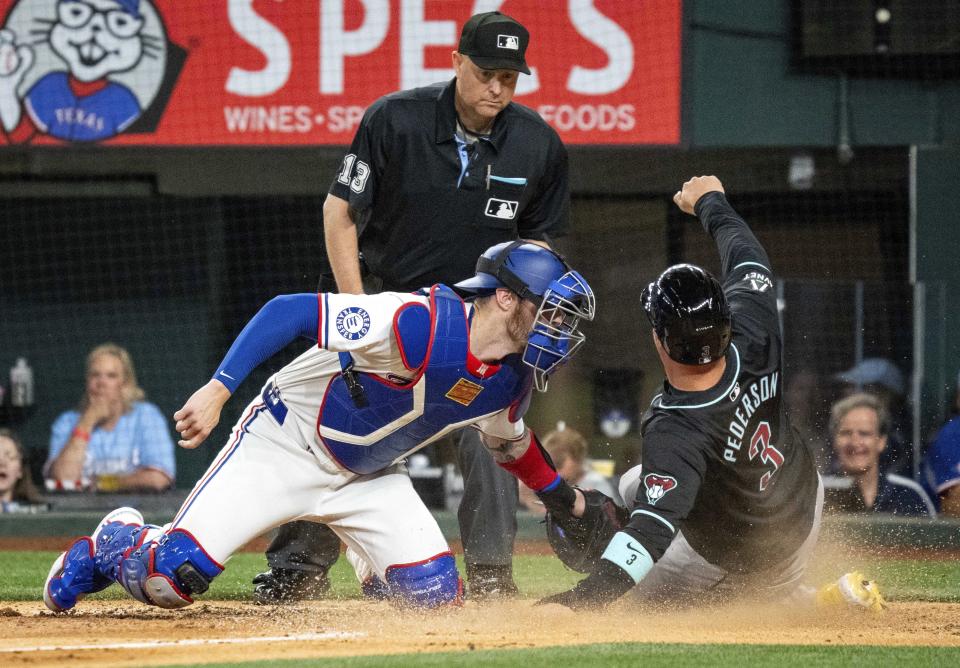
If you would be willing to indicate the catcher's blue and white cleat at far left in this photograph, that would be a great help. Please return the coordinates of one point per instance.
(73, 574)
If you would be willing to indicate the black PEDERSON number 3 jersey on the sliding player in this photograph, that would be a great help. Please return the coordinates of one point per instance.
(723, 465)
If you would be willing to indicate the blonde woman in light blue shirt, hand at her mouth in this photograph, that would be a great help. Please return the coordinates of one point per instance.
(114, 441)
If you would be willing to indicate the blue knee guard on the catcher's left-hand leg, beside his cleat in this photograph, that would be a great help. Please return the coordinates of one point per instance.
(166, 572)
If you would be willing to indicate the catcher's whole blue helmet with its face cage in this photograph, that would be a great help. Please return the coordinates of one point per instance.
(542, 277)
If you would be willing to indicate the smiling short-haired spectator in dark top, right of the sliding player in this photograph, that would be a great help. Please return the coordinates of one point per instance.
(858, 426)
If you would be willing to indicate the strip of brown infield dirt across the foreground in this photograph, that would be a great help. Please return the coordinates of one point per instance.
(110, 633)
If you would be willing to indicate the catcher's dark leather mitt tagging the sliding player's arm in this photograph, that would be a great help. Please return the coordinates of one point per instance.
(580, 542)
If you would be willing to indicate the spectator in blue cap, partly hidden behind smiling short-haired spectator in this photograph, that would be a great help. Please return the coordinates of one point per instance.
(883, 379)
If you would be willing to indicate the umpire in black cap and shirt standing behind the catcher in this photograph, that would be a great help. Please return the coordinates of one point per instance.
(434, 176)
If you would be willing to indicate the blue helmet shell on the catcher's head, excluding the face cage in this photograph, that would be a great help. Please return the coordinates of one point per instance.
(525, 268)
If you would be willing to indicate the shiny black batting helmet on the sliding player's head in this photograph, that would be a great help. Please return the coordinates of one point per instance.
(689, 313)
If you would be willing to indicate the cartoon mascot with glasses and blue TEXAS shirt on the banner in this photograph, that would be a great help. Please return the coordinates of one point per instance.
(84, 70)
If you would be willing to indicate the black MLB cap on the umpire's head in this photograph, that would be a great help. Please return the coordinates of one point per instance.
(494, 41)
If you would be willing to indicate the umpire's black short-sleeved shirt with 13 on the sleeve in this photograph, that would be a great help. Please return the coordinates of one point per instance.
(423, 217)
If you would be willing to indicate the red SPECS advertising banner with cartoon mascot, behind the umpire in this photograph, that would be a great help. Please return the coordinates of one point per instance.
(295, 72)
